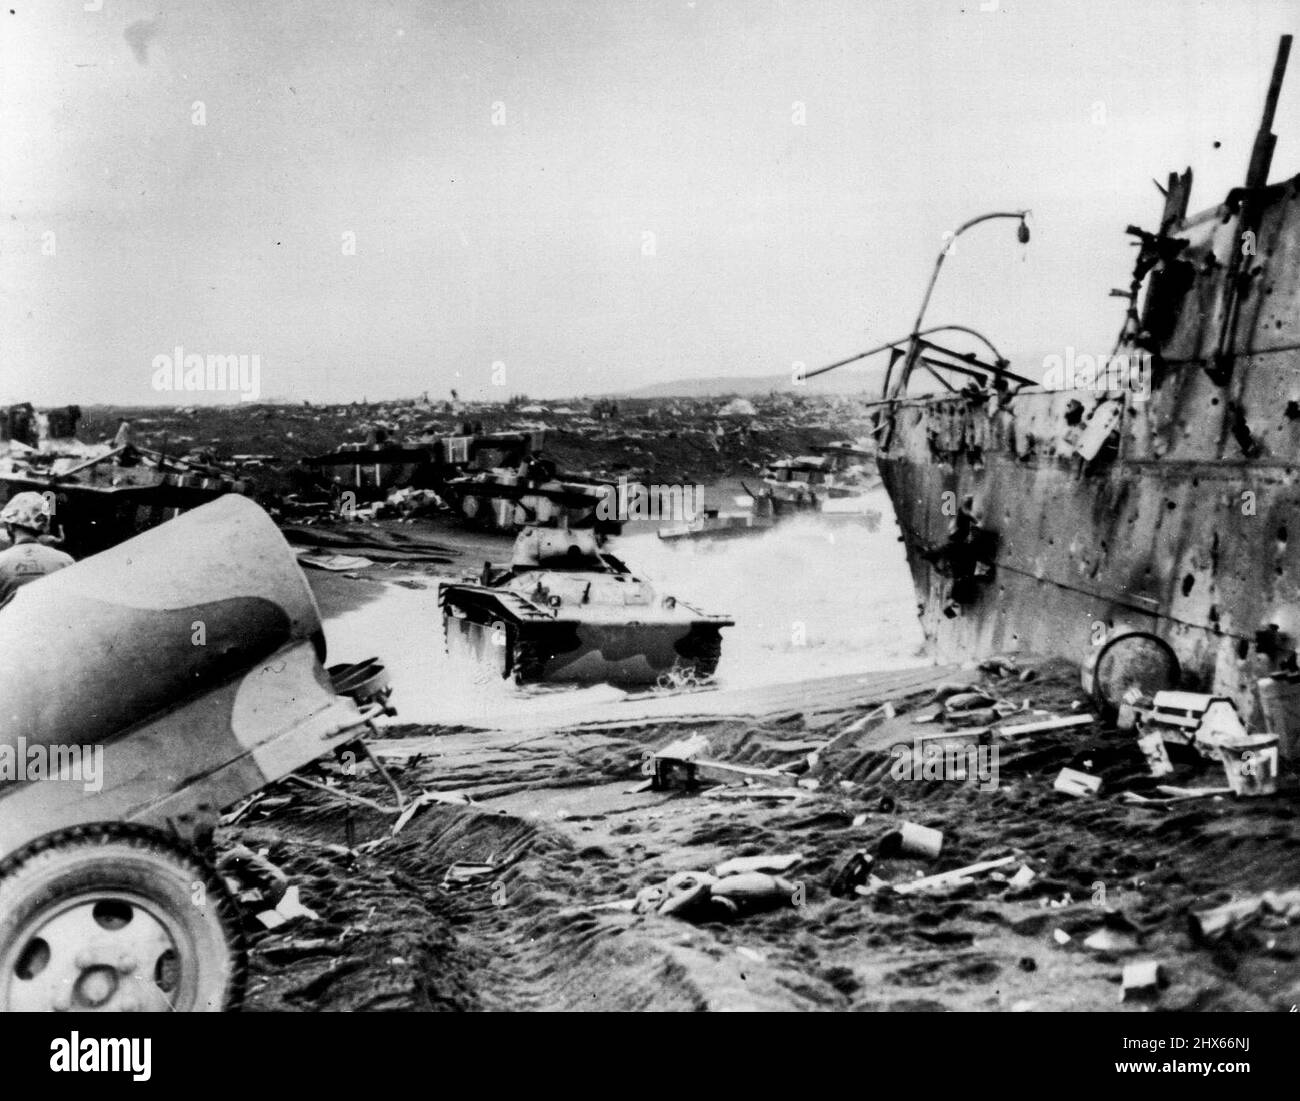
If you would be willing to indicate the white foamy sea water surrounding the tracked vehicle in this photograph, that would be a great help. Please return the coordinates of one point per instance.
(811, 597)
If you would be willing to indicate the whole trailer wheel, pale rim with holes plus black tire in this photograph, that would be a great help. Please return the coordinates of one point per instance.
(116, 918)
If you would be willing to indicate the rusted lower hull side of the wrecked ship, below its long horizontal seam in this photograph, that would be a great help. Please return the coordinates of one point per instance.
(1155, 547)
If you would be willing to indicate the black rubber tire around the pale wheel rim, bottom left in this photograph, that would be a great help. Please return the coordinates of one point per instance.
(138, 864)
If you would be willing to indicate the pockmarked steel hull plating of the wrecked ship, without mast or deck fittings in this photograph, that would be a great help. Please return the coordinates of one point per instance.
(1175, 517)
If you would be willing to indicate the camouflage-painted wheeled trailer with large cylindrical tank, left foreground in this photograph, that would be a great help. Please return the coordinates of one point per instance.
(151, 687)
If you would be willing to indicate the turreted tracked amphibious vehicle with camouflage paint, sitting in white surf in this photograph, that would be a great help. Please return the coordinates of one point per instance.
(569, 612)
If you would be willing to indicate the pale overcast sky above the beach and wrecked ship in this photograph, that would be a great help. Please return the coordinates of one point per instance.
(597, 196)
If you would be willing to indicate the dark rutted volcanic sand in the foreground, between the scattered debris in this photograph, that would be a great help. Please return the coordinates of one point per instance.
(554, 816)
